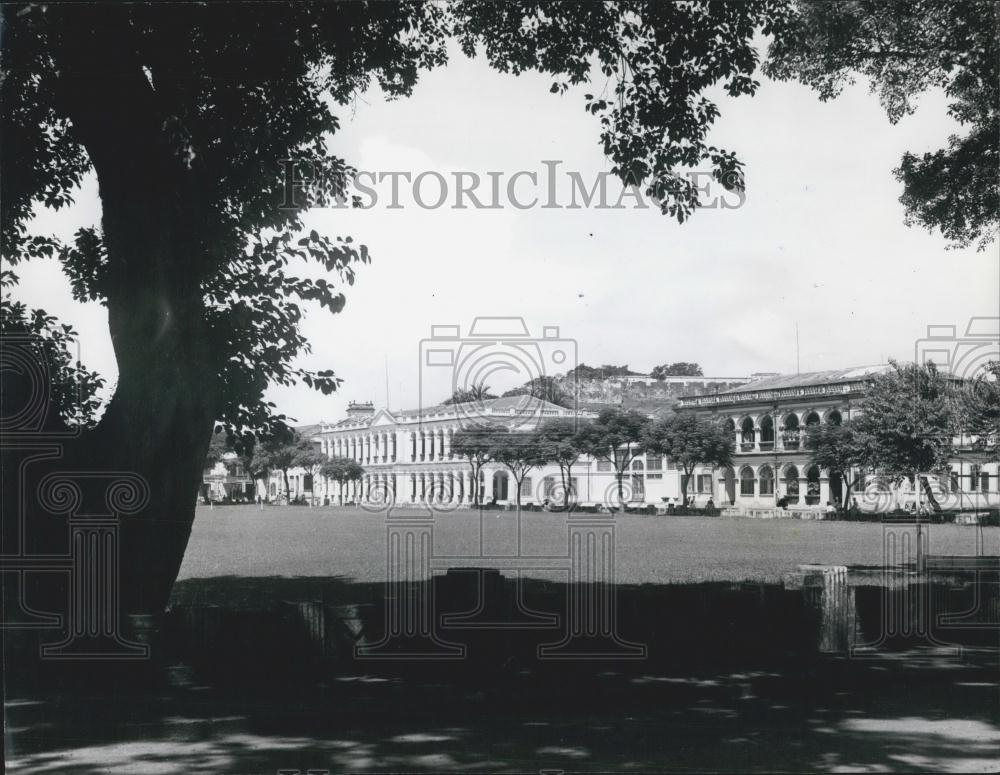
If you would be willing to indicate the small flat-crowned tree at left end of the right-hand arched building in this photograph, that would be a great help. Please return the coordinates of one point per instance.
(690, 441)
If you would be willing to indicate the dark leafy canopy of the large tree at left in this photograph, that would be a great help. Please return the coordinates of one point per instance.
(192, 110)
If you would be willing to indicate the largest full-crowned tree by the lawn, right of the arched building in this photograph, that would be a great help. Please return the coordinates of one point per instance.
(909, 419)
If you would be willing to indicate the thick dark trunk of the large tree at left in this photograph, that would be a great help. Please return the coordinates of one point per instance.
(157, 232)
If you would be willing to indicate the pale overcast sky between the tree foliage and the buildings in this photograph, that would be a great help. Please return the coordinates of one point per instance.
(819, 242)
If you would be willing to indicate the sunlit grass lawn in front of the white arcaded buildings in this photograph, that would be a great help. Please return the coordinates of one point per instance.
(299, 541)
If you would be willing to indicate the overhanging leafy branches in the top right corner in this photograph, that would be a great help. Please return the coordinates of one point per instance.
(904, 50)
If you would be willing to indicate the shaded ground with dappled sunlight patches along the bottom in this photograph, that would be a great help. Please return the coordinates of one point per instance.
(913, 713)
